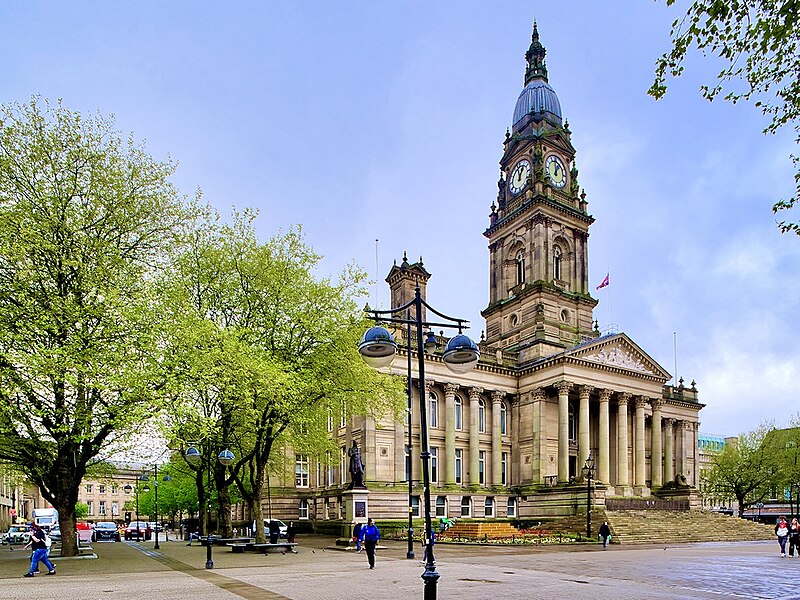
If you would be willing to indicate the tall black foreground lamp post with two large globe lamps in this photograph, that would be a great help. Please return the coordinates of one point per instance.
(461, 354)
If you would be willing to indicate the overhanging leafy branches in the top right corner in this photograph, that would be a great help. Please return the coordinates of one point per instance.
(758, 42)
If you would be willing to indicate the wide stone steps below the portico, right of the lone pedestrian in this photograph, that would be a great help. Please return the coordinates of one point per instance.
(664, 526)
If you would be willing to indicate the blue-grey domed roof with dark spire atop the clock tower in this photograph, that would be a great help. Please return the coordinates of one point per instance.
(538, 98)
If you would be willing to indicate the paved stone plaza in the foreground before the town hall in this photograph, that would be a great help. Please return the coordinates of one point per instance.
(720, 570)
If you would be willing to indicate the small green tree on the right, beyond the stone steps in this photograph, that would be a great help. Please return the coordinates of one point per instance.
(746, 469)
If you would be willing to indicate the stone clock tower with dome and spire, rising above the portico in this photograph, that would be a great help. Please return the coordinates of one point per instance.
(539, 300)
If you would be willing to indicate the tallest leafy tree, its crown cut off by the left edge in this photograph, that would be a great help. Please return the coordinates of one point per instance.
(86, 220)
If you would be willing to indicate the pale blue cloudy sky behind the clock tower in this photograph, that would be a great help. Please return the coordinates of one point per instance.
(385, 120)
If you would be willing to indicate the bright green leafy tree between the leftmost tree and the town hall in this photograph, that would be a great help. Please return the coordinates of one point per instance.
(273, 344)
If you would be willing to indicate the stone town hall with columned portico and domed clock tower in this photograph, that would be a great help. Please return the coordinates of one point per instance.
(510, 438)
